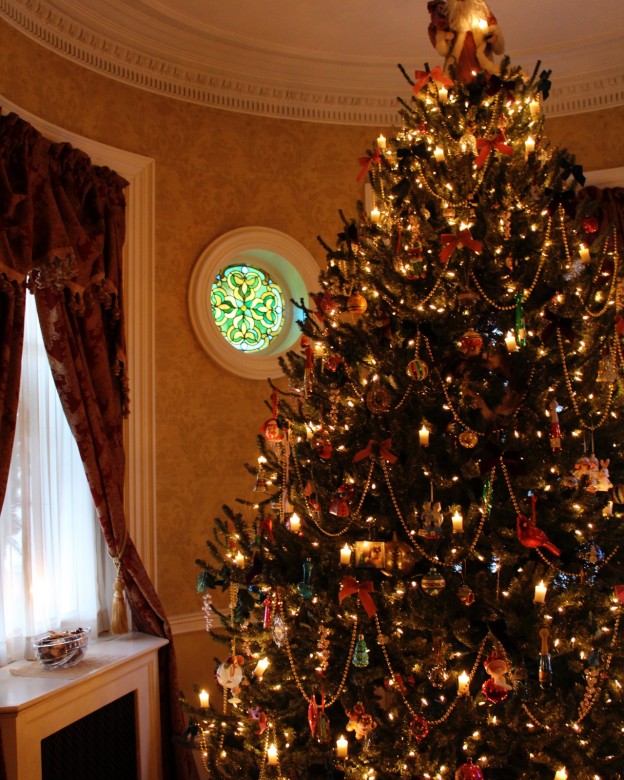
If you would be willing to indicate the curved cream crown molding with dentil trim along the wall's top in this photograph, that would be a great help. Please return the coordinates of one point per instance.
(350, 92)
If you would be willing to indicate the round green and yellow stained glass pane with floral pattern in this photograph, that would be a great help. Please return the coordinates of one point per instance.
(247, 306)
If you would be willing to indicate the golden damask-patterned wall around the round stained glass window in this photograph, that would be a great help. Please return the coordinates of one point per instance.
(216, 171)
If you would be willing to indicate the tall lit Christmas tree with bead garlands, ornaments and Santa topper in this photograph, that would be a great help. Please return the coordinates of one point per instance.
(427, 583)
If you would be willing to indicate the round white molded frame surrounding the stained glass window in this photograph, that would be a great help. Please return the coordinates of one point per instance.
(295, 270)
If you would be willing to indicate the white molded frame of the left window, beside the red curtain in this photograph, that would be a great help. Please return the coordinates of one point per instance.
(139, 429)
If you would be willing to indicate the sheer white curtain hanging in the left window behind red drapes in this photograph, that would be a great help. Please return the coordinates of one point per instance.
(53, 570)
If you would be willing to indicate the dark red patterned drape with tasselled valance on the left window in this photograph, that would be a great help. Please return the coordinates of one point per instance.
(62, 227)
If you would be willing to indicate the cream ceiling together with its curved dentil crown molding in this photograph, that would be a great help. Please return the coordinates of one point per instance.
(317, 60)
